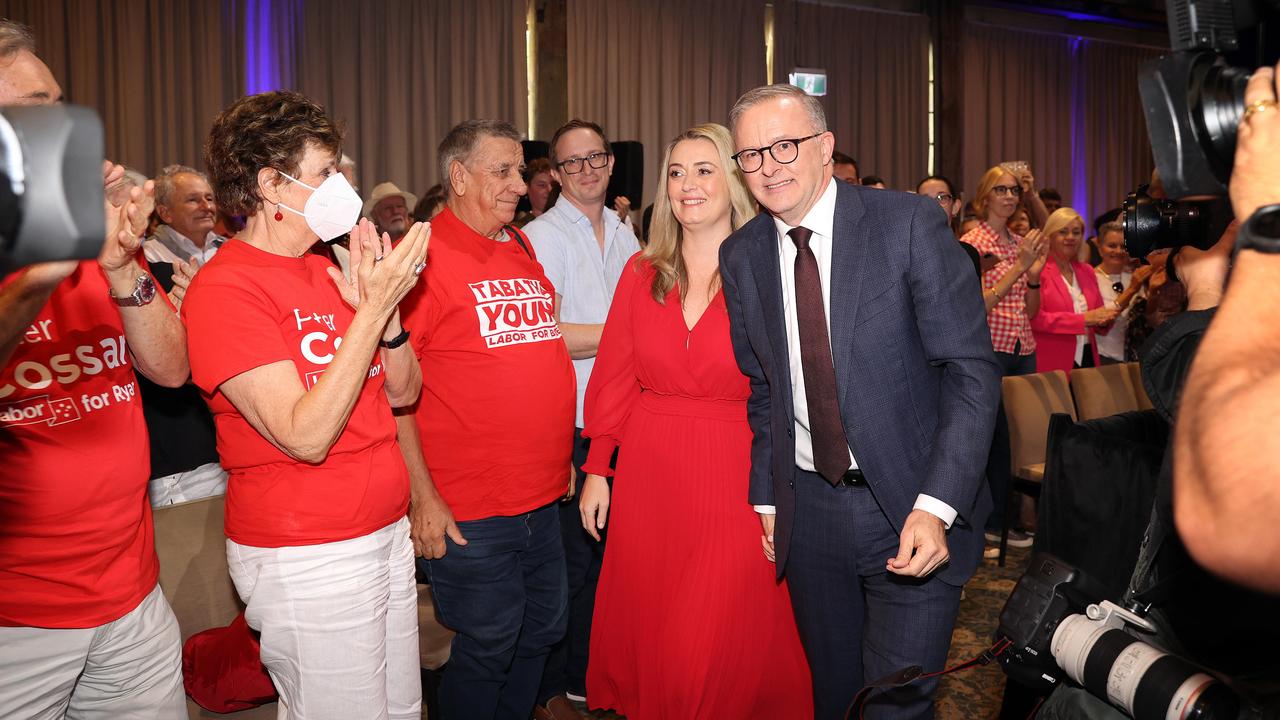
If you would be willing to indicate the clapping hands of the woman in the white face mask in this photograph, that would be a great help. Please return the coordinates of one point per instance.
(381, 276)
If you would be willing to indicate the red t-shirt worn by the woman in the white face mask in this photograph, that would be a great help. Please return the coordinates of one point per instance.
(249, 308)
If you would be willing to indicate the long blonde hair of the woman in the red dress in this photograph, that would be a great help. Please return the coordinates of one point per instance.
(666, 236)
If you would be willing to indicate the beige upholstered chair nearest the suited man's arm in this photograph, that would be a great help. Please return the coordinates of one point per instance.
(1030, 402)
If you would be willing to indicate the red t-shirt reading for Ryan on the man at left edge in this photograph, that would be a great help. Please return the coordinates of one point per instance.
(76, 536)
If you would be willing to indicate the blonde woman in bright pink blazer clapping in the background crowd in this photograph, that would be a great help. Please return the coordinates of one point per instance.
(1072, 311)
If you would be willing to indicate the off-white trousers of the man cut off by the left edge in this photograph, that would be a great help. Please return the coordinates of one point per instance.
(129, 669)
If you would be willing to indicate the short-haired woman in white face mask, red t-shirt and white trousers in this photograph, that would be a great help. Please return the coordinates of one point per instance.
(301, 368)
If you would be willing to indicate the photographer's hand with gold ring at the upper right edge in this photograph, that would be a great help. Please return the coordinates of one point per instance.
(1256, 176)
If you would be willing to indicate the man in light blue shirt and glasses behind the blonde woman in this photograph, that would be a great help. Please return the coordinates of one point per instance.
(583, 248)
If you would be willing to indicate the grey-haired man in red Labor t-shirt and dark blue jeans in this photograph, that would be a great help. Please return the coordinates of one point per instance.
(488, 444)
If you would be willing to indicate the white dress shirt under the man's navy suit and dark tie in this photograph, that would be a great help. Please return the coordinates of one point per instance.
(820, 220)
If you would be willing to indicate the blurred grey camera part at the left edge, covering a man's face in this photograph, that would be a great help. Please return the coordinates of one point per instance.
(51, 185)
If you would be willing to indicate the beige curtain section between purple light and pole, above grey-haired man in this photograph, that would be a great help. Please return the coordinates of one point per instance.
(400, 74)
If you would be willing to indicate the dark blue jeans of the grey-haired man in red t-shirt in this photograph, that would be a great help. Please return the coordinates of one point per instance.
(505, 593)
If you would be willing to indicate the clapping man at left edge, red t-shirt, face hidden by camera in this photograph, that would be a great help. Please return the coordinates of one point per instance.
(84, 627)
